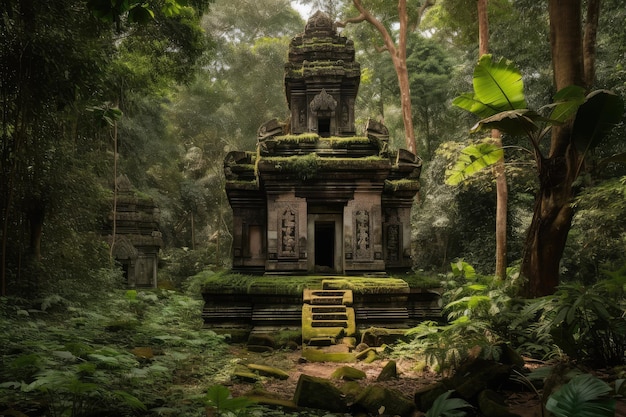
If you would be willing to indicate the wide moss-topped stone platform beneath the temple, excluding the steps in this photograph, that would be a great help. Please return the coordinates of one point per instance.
(239, 304)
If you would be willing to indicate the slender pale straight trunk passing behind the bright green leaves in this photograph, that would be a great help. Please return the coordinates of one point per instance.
(502, 192)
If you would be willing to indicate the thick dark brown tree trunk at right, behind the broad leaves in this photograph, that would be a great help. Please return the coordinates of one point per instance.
(552, 215)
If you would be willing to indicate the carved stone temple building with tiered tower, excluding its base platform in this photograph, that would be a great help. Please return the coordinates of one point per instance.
(316, 197)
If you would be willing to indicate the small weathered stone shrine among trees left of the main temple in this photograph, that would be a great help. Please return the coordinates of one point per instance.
(137, 236)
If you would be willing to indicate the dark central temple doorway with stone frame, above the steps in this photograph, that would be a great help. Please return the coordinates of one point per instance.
(325, 228)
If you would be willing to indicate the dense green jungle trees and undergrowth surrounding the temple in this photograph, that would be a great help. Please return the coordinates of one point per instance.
(161, 91)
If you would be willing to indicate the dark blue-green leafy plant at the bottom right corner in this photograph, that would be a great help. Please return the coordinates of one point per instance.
(583, 396)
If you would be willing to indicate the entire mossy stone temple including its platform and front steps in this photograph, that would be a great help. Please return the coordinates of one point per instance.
(321, 215)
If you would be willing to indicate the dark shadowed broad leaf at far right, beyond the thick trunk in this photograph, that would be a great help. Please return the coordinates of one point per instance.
(595, 118)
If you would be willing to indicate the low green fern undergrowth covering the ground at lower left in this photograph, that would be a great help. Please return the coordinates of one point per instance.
(122, 351)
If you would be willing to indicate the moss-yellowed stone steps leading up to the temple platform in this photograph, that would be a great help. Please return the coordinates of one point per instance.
(327, 316)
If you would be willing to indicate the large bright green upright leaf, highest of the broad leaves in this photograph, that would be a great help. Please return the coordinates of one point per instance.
(498, 84)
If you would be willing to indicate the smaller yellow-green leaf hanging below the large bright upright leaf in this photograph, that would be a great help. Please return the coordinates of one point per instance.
(473, 159)
